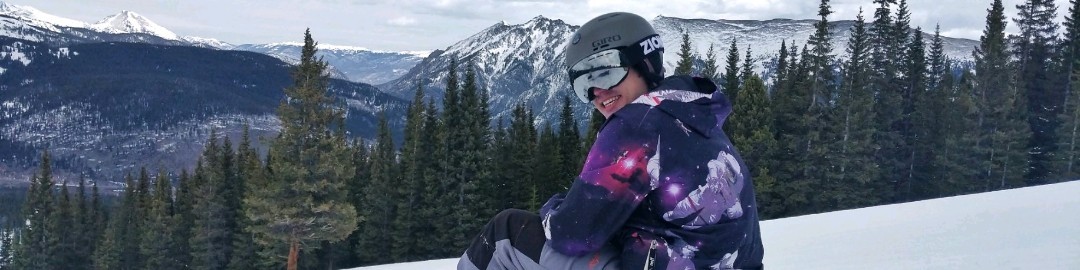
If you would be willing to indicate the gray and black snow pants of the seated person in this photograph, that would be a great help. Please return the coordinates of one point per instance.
(515, 239)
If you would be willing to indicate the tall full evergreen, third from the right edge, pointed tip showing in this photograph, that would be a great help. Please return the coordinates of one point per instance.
(1002, 109)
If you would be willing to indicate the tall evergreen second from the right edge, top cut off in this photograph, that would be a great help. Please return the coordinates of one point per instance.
(1034, 49)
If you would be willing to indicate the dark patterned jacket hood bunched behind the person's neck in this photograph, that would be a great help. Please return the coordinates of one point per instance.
(695, 102)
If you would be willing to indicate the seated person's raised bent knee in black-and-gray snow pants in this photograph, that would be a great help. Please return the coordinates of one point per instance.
(515, 239)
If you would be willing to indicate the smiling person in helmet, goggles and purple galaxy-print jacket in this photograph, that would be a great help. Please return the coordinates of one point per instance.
(663, 187)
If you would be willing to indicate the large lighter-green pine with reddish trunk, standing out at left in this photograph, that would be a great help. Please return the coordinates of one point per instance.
(304, 202)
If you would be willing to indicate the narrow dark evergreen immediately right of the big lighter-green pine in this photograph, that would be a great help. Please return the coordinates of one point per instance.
(379, 208)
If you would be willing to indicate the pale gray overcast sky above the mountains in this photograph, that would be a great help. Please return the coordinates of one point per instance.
(425, 25)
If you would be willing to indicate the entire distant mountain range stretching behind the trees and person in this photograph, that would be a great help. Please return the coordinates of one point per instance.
(106, 98)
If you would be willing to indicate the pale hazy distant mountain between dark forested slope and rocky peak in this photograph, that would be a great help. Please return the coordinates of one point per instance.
(352, 63)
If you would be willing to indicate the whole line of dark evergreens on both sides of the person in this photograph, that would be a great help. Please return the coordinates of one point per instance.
(895, 121)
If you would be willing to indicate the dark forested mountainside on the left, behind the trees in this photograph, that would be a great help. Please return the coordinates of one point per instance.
(104, 110)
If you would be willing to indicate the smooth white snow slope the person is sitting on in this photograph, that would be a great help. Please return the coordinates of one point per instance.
(1030, 228)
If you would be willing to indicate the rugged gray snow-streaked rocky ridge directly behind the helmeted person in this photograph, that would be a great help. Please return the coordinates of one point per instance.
(524, 63)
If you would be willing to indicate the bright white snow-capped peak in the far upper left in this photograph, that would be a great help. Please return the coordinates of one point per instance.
(31, 24)
